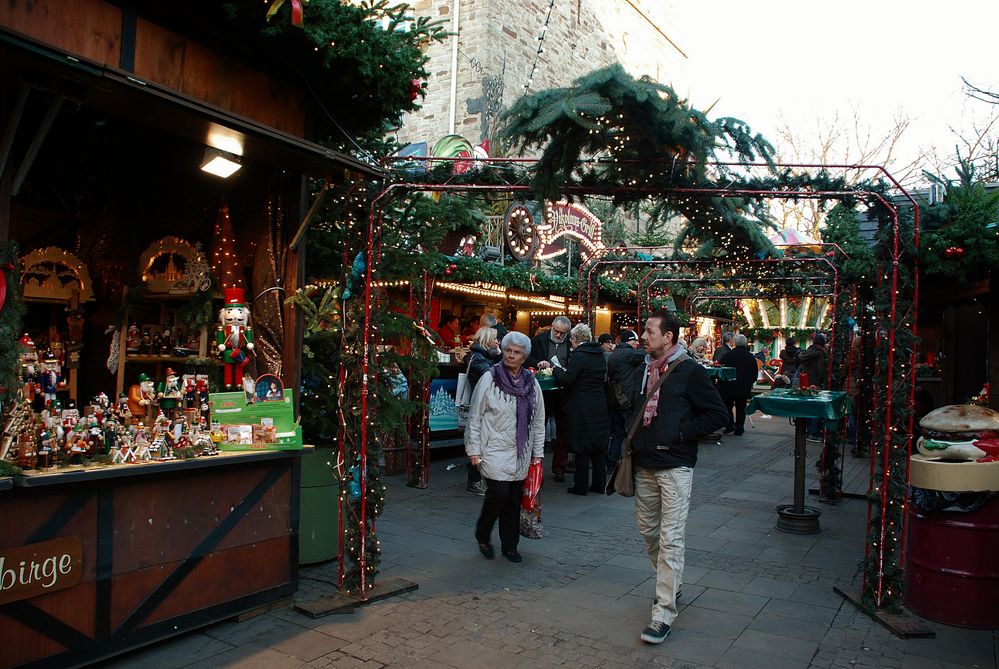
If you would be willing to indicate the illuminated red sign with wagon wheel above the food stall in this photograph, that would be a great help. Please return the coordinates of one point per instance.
(533, 237)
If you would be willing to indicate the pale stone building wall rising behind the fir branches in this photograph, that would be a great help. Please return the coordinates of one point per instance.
(498, 44)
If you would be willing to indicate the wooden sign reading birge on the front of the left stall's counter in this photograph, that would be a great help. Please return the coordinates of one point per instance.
(38, 569)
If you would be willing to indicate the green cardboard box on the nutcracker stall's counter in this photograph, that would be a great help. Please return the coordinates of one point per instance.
(280, 430)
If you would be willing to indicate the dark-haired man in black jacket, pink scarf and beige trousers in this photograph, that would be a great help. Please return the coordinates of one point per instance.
(664, 451)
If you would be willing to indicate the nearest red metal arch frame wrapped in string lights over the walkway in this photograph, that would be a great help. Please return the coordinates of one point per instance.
(891, 275)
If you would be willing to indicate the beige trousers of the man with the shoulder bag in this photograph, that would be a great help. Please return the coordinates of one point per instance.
(662, 499)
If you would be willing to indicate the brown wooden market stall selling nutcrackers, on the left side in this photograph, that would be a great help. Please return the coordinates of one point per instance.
(106, 115)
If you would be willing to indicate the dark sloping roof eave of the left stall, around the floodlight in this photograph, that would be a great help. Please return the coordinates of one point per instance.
(119, 93)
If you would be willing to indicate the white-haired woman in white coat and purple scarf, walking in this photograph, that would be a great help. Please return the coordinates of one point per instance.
(504, 435)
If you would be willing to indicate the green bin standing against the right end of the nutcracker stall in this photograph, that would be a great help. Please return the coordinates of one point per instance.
(317, 535)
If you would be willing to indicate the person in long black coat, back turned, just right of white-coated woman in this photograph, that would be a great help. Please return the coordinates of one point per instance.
(587, 418)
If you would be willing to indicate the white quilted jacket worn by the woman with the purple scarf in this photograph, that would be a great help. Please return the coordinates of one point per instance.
(491, 432)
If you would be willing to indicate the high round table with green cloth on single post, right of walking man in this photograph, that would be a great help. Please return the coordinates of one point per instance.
(830, 405)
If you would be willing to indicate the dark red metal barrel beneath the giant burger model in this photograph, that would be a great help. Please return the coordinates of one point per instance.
(952, 566)
